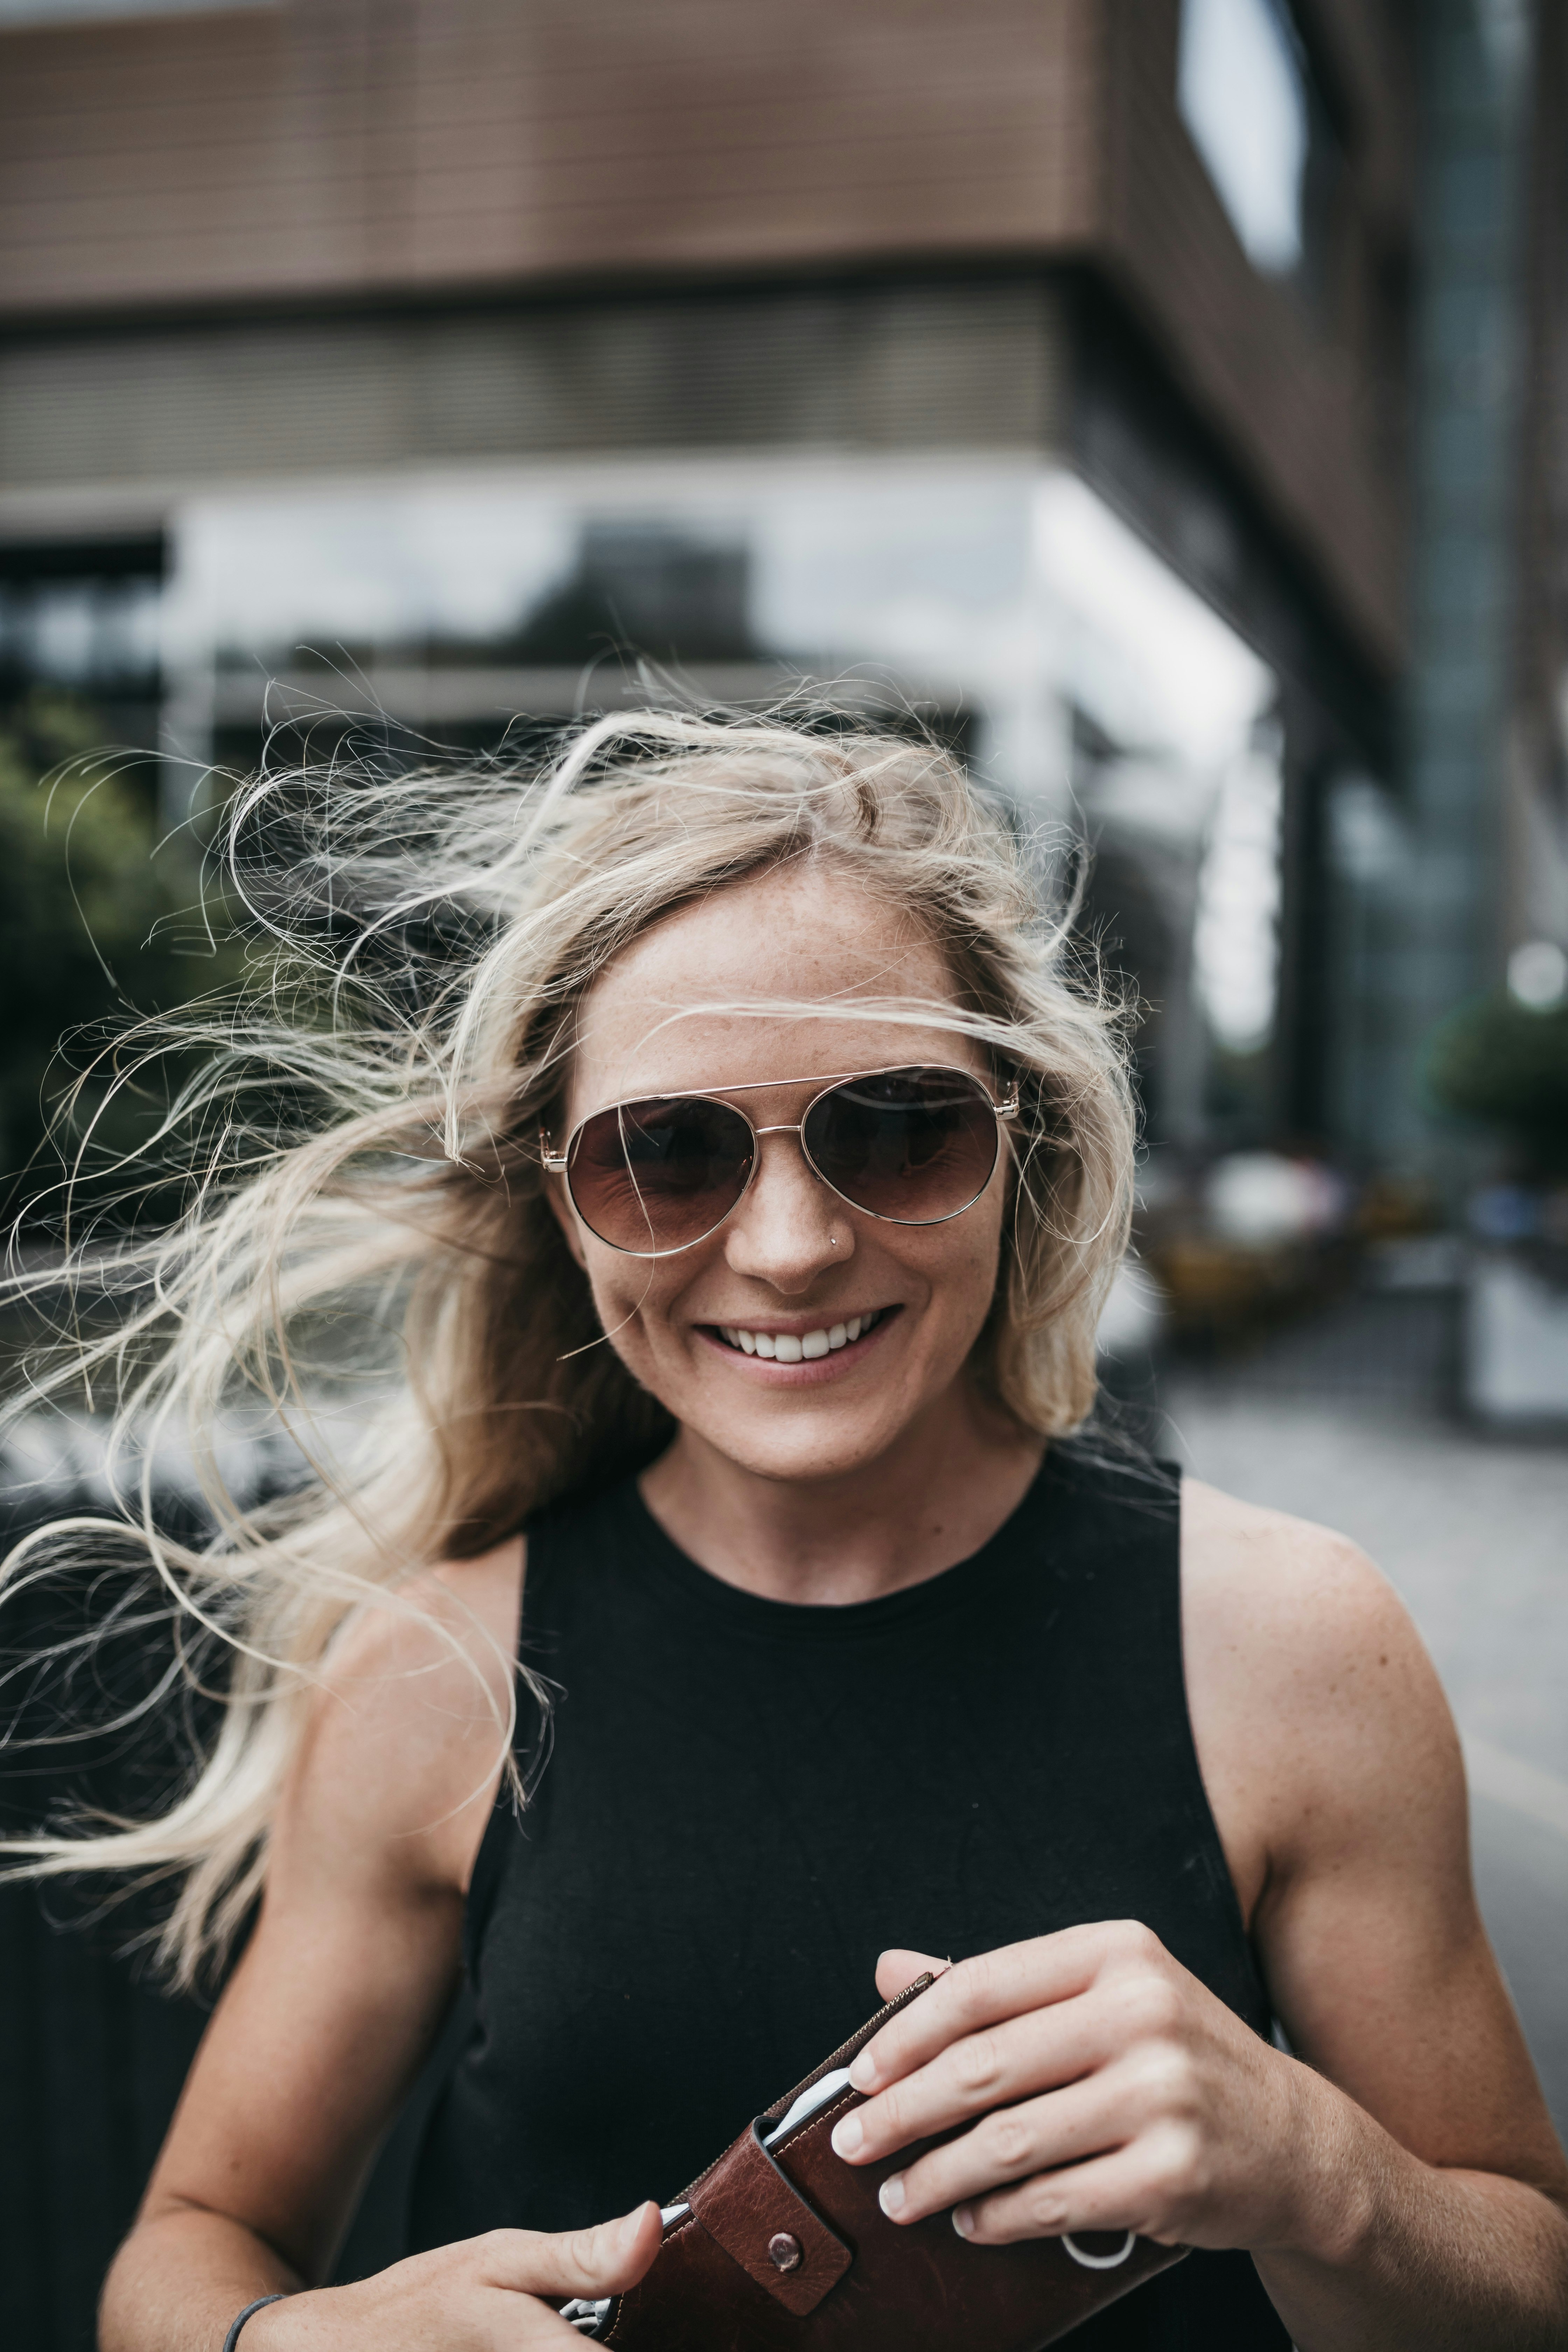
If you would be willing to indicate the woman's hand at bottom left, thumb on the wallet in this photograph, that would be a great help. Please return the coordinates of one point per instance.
(476, 2297)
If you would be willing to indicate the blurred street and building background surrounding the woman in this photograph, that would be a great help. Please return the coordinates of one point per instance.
(1162, 401)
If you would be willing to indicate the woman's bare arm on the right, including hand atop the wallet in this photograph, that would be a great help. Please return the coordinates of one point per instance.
(1398, 2184)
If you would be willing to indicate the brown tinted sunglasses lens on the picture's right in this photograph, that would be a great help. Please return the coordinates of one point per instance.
(913, 1147)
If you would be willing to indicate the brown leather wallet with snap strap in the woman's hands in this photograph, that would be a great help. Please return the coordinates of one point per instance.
(782, 2245)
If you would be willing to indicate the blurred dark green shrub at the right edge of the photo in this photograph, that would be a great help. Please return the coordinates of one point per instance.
(1506, 1064)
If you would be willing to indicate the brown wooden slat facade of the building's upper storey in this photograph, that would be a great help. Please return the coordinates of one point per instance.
(340, 152)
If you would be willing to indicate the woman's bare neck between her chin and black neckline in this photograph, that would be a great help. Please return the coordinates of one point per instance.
(930, 1502)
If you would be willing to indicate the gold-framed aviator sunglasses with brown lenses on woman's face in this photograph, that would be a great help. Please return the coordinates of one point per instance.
(659, 1175)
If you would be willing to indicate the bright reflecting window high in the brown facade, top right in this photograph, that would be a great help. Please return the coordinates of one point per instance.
(1247, 102)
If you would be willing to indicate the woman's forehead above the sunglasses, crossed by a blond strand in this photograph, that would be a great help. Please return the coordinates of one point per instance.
(688, 1005)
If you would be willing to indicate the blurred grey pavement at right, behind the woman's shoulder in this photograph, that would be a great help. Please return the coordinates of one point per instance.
(1348, 1419)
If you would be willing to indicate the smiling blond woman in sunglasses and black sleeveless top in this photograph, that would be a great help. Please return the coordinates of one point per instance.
(725, 1617)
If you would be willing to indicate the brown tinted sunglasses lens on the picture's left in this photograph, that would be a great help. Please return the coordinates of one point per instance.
(659, 1175)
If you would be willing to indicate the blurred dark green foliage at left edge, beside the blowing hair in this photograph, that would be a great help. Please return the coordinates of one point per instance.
(98, 923)
